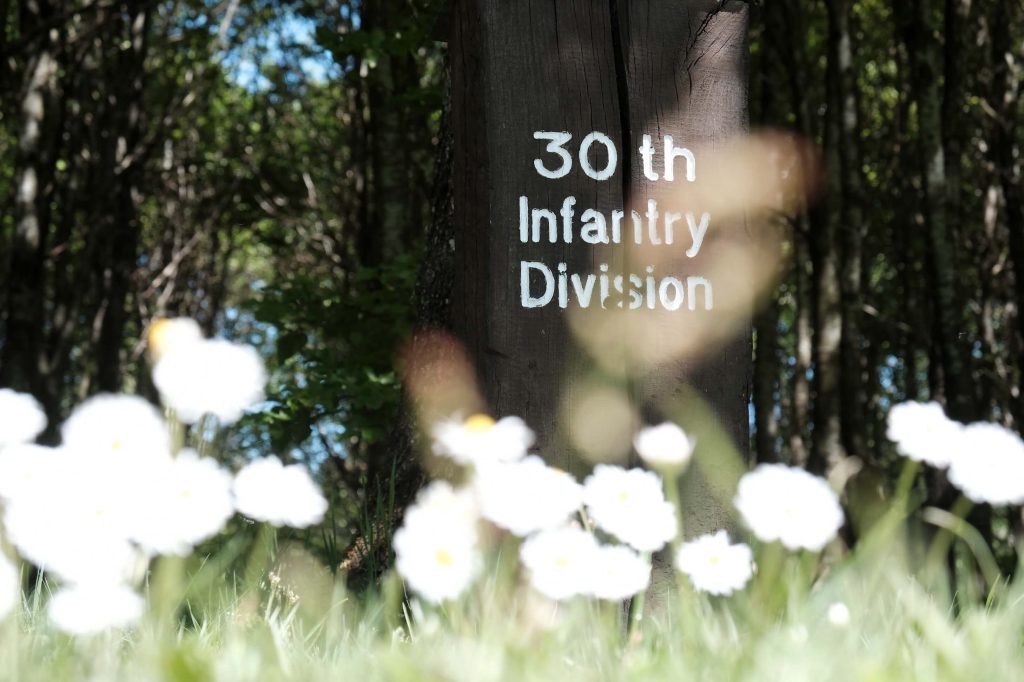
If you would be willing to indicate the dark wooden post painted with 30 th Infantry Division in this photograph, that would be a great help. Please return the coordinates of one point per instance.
(624, 70)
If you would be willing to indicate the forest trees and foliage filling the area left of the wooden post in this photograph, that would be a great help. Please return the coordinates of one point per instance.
(264, 167)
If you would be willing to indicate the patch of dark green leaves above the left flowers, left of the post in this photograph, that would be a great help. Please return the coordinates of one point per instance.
(336, 350)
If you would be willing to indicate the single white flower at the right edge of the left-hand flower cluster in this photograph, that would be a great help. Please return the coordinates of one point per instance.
(268, 491)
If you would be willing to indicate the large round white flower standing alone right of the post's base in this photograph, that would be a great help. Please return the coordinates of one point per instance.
(787, 504)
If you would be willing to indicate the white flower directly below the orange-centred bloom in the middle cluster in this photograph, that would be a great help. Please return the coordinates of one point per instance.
(527, 496)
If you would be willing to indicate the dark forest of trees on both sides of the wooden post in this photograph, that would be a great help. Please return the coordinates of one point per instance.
(280, 172)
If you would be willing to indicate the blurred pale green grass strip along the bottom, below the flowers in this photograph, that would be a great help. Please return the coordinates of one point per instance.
(305, 626)
